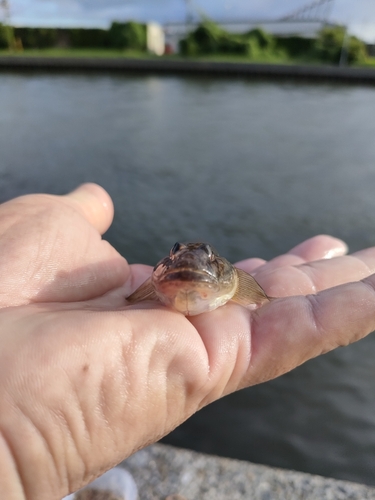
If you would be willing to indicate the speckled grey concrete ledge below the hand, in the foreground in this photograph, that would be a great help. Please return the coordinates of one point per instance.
(161, 470)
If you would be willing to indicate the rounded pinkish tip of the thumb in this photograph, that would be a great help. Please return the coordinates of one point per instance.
(94, 203)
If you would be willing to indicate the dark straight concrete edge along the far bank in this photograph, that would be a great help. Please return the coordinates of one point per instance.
(327, 73)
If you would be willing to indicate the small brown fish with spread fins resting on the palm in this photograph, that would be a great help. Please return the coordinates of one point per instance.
(194, 279)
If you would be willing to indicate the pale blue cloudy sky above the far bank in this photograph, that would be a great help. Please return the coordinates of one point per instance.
(358, 15)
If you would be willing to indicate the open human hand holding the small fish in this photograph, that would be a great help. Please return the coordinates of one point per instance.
(86, 381)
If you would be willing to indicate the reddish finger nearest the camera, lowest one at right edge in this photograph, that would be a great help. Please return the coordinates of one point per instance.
(288, 332)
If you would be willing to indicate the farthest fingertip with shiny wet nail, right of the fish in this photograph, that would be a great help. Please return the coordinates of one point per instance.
(316, 248)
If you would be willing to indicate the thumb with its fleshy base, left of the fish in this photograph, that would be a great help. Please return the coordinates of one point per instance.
(50, 251)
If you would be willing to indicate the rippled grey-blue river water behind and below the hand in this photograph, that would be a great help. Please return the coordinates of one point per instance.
(252, 167)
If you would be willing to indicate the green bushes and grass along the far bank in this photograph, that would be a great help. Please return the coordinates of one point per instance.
(208, 41)
